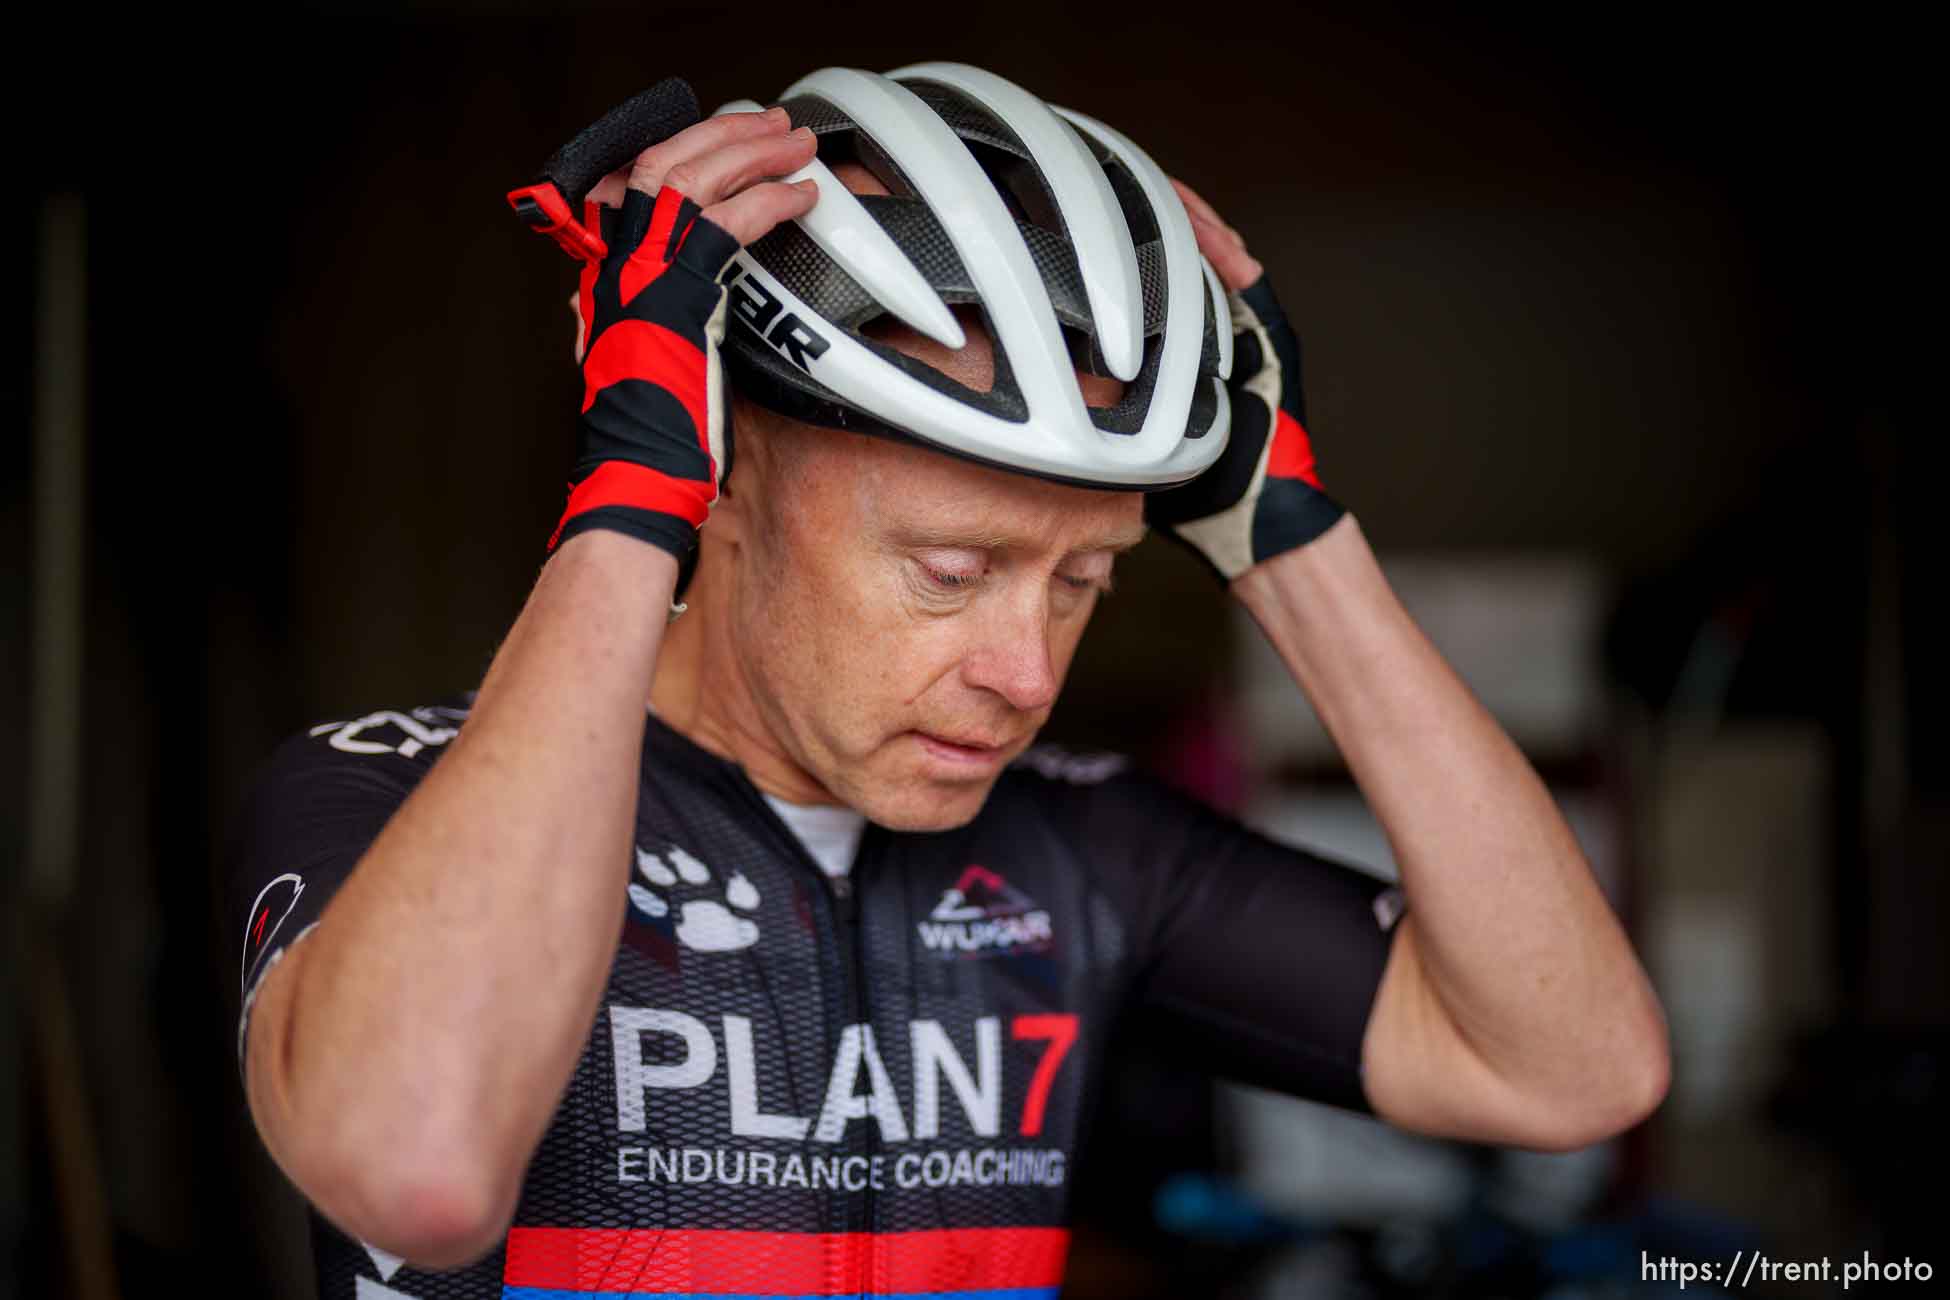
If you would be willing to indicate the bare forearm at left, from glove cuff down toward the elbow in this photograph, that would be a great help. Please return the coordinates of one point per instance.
(451, 983)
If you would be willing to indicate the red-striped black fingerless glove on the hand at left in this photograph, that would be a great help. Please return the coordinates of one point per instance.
(654, 440)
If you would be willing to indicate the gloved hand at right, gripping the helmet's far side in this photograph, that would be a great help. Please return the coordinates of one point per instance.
(1263, 496)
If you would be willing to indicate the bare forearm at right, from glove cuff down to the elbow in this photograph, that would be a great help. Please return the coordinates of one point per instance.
(1512, 935)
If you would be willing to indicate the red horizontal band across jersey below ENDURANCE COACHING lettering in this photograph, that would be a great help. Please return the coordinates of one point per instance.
(795, 1264)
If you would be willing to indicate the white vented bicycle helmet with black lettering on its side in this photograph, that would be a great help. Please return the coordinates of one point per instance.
(1068, 239)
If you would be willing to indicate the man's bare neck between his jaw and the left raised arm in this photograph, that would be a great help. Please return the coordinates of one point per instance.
(701, 691)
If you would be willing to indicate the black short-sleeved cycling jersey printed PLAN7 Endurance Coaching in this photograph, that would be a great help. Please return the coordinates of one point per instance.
(857, 1087)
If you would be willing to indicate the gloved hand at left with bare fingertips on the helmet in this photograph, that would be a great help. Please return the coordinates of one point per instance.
(654, 440)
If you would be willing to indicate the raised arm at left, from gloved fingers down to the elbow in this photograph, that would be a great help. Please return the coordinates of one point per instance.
(407, 1057)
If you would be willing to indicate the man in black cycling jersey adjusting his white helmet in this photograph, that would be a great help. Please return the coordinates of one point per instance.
(873, 940)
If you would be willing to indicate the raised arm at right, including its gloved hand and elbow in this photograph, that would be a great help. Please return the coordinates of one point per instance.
(1512, 1009)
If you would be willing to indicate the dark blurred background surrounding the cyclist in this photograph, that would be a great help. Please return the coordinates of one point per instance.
(1606, 311)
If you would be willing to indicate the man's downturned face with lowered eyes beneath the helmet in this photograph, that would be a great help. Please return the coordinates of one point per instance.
(898, 601)
